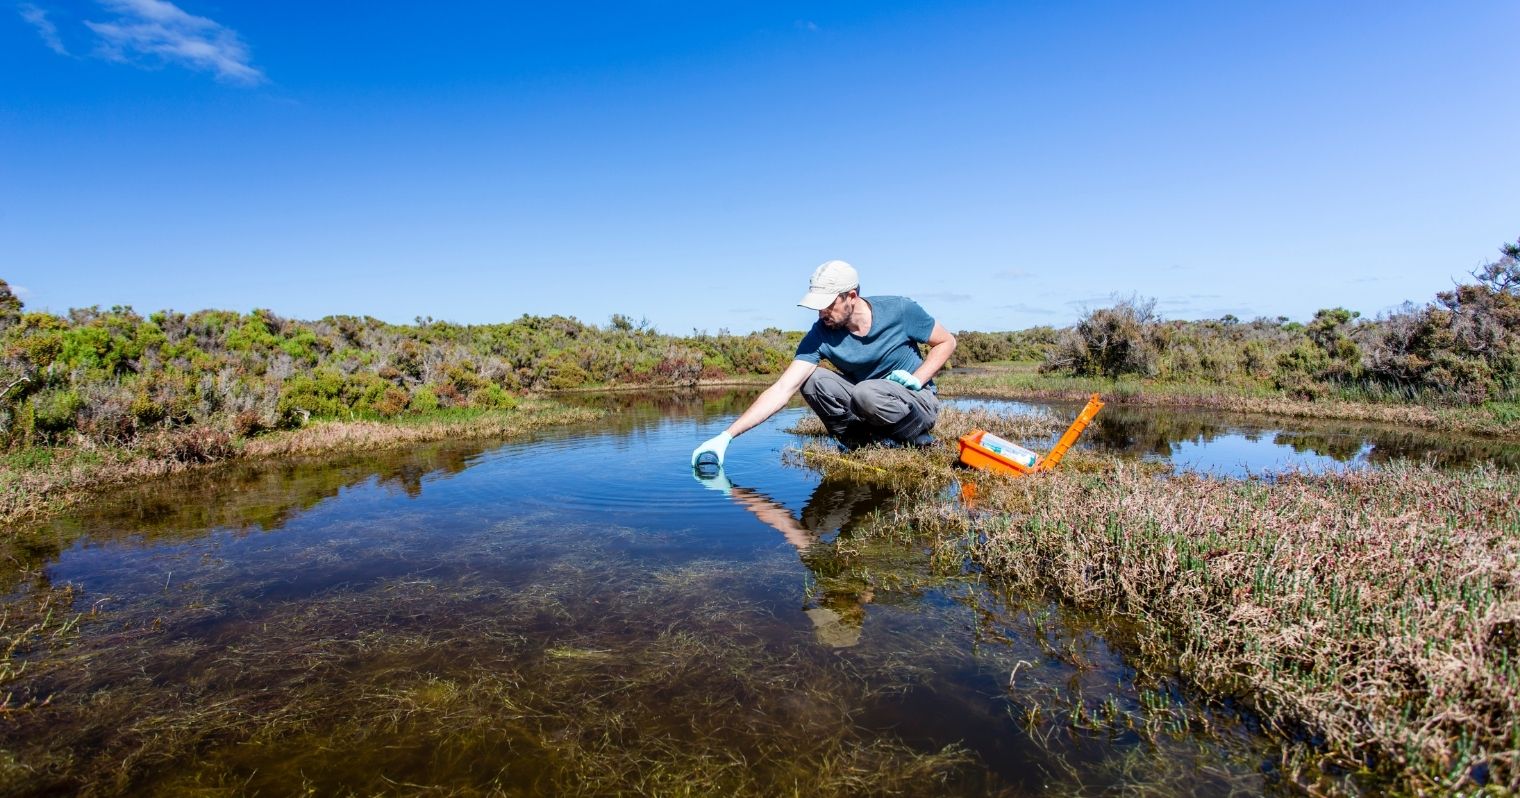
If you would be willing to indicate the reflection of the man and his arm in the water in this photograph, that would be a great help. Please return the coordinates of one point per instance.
(834, 507)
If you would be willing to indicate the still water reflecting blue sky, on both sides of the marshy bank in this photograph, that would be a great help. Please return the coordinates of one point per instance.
(578, 615)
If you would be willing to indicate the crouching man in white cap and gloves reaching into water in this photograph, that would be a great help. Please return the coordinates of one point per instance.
(884, 391)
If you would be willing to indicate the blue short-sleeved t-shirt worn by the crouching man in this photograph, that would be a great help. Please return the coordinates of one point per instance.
(898, 328)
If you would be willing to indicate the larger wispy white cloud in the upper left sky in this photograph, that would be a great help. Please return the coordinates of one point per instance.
(162, 31)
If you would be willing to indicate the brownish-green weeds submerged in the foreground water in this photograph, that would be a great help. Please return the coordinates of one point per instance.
(591, 677)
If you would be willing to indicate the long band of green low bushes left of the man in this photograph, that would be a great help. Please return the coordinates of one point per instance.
(113, 378)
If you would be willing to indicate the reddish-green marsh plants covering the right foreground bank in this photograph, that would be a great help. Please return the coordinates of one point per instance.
(1369, 618)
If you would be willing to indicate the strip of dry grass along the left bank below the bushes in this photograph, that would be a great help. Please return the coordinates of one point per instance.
(42, 483)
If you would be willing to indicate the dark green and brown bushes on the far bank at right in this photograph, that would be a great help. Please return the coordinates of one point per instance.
(1463, 349)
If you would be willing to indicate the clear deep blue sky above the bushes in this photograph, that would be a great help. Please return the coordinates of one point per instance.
(1007, 165)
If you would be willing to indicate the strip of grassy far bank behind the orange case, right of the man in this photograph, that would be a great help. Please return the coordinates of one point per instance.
(1024, 381)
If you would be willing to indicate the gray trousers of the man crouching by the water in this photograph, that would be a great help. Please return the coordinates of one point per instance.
(870, 410)
